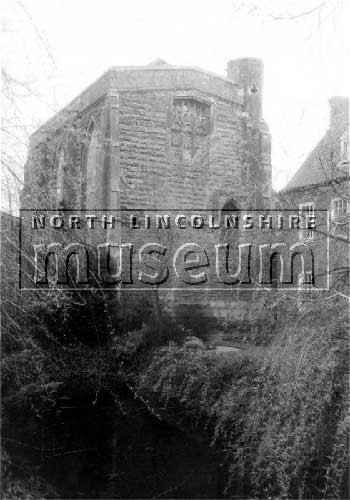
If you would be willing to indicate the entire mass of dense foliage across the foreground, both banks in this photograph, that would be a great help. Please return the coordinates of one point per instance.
(276, 413)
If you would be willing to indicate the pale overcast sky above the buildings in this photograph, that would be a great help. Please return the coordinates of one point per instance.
(60, 47)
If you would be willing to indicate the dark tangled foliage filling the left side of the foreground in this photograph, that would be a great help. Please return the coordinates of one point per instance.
(65, 352)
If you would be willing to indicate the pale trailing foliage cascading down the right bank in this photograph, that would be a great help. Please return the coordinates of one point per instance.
(281, 413)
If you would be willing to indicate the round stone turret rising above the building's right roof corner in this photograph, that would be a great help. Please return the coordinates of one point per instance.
(248, 72)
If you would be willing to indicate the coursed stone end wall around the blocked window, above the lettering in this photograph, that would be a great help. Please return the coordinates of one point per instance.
(225, 162)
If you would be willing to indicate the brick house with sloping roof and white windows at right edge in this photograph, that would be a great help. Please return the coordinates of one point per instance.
(321, 186)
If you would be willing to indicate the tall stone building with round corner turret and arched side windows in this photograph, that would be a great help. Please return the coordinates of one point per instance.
(160, 138)
